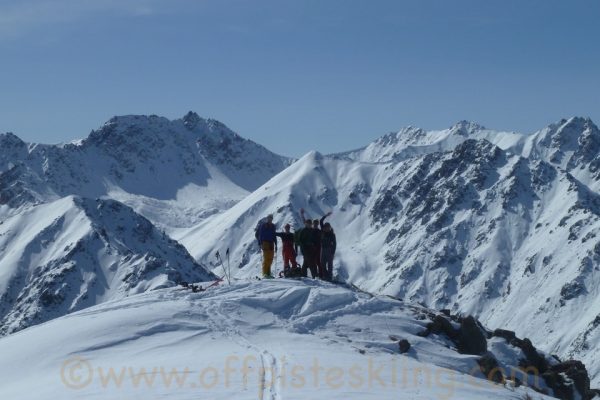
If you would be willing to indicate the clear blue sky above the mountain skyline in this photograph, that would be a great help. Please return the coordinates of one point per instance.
(329, 75)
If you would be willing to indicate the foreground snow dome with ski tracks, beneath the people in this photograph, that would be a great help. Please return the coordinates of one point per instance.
(279, 339)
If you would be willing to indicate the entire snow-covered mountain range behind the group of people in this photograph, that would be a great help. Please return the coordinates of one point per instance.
(500, 225)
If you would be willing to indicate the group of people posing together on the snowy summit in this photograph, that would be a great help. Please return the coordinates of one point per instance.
(316, 241)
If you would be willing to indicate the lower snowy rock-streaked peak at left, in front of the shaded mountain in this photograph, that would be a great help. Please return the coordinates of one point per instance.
(73, 253)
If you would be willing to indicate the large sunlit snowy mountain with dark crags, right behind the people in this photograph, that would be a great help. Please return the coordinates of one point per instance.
(500, 225)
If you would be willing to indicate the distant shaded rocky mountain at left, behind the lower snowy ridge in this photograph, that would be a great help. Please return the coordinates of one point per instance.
(175, 173)
